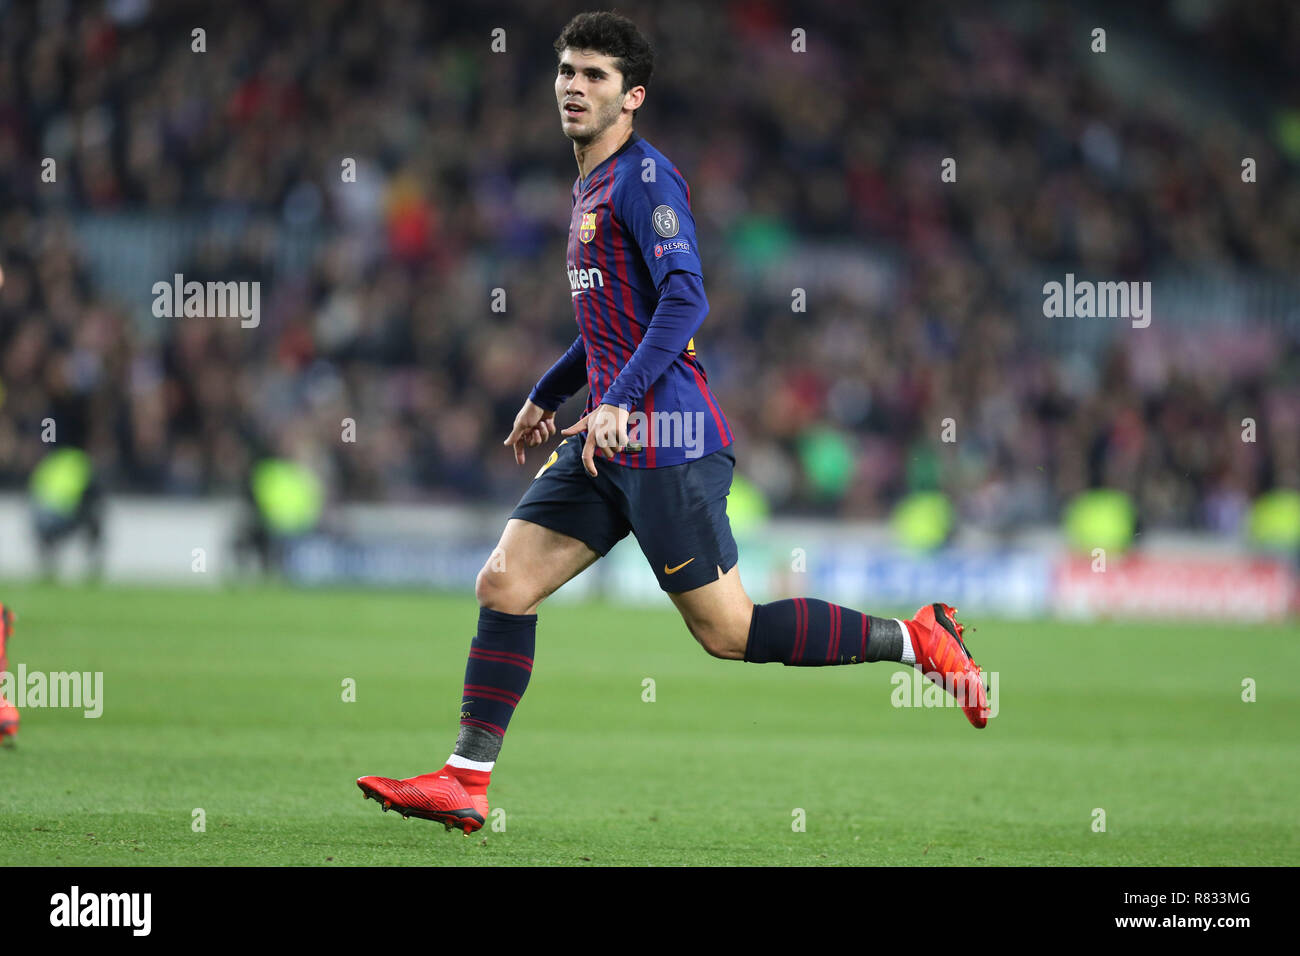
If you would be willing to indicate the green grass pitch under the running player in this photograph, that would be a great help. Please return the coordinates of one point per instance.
(232, 702)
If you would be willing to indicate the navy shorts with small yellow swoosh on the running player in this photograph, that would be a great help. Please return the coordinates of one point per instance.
(678, 513)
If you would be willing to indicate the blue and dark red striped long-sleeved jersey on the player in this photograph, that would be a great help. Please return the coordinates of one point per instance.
(630, 235)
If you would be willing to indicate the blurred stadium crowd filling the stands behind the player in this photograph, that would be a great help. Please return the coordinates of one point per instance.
(463, 187)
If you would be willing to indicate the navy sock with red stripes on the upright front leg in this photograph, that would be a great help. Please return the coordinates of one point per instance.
(501, 663)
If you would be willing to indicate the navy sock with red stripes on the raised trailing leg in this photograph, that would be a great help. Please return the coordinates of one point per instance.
(808, 633)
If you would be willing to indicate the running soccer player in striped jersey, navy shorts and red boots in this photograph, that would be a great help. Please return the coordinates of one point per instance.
(651, 456)
